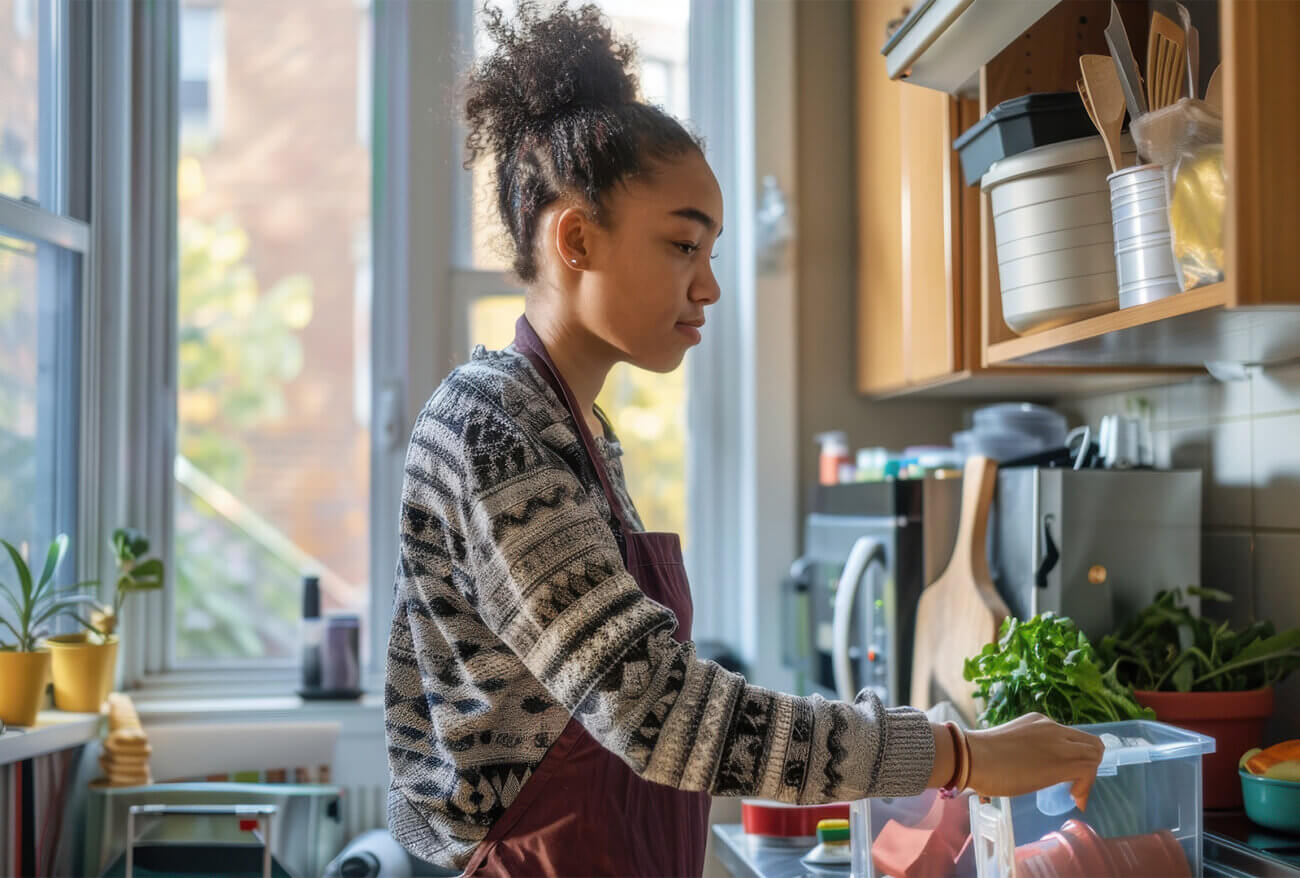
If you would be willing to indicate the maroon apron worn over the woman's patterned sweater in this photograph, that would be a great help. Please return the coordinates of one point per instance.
(584, 811)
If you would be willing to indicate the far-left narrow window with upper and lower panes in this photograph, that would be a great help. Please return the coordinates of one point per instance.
(42, 286)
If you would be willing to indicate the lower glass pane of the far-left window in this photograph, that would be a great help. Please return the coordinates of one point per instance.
(40, 369)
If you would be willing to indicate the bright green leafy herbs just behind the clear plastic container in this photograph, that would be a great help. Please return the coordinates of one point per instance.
(1047, 665)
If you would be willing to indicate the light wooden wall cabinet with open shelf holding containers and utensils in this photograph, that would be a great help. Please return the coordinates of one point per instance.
(929, 301)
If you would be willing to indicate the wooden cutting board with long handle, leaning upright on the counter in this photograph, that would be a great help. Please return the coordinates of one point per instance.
(961, 611)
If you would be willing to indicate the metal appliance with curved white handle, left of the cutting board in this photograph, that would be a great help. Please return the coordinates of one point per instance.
(870, 548)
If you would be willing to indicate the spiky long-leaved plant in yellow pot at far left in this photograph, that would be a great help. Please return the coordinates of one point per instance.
(36, 604)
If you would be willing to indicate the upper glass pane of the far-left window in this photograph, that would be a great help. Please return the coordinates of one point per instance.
(21, 86)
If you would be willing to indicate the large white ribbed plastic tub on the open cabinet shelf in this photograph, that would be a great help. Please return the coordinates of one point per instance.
(1056, 250)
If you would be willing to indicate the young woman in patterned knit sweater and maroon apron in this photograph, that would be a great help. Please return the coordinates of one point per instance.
(547, 712)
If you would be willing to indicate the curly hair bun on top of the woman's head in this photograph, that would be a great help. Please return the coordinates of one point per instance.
(544, 67)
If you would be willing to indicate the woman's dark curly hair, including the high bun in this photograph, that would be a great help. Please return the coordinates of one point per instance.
(556, 107)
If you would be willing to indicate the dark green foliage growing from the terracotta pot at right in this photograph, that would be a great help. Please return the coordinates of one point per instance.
(1165, 647)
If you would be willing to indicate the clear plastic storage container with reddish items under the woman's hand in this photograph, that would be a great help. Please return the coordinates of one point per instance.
(1143, 819)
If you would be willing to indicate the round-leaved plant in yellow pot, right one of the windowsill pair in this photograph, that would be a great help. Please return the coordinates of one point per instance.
(85, 664)
